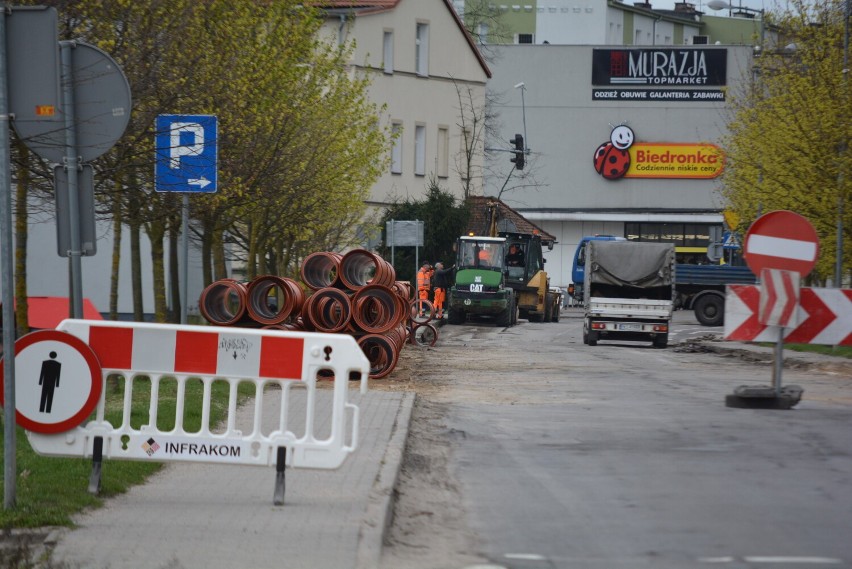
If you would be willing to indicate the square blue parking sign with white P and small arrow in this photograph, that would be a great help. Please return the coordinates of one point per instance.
(186, 154)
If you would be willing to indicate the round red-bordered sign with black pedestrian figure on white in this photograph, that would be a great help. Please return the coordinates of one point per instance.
(58, 381)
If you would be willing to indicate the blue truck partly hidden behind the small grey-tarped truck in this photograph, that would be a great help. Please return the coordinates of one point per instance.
(700, 288)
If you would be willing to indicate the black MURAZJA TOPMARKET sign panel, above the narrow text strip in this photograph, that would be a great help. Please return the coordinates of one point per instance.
(651, 67)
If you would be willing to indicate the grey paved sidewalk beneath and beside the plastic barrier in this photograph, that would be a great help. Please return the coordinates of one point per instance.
(222, 517)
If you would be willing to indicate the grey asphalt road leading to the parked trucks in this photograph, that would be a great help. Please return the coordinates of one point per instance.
(617, 456)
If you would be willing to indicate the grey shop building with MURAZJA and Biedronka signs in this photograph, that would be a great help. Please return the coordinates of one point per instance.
(623, 140)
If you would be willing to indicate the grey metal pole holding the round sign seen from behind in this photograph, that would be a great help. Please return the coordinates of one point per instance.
(71, 166)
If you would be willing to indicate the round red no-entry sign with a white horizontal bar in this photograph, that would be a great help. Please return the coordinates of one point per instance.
(781, 240)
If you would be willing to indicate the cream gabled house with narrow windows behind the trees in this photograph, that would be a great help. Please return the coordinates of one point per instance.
(424, 68)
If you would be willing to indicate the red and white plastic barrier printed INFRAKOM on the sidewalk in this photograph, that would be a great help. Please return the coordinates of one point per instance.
(276, 362)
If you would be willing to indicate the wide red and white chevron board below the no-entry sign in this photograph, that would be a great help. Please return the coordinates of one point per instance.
(824, 316)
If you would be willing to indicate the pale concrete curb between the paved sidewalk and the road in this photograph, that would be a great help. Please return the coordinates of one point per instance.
(379, 512)
